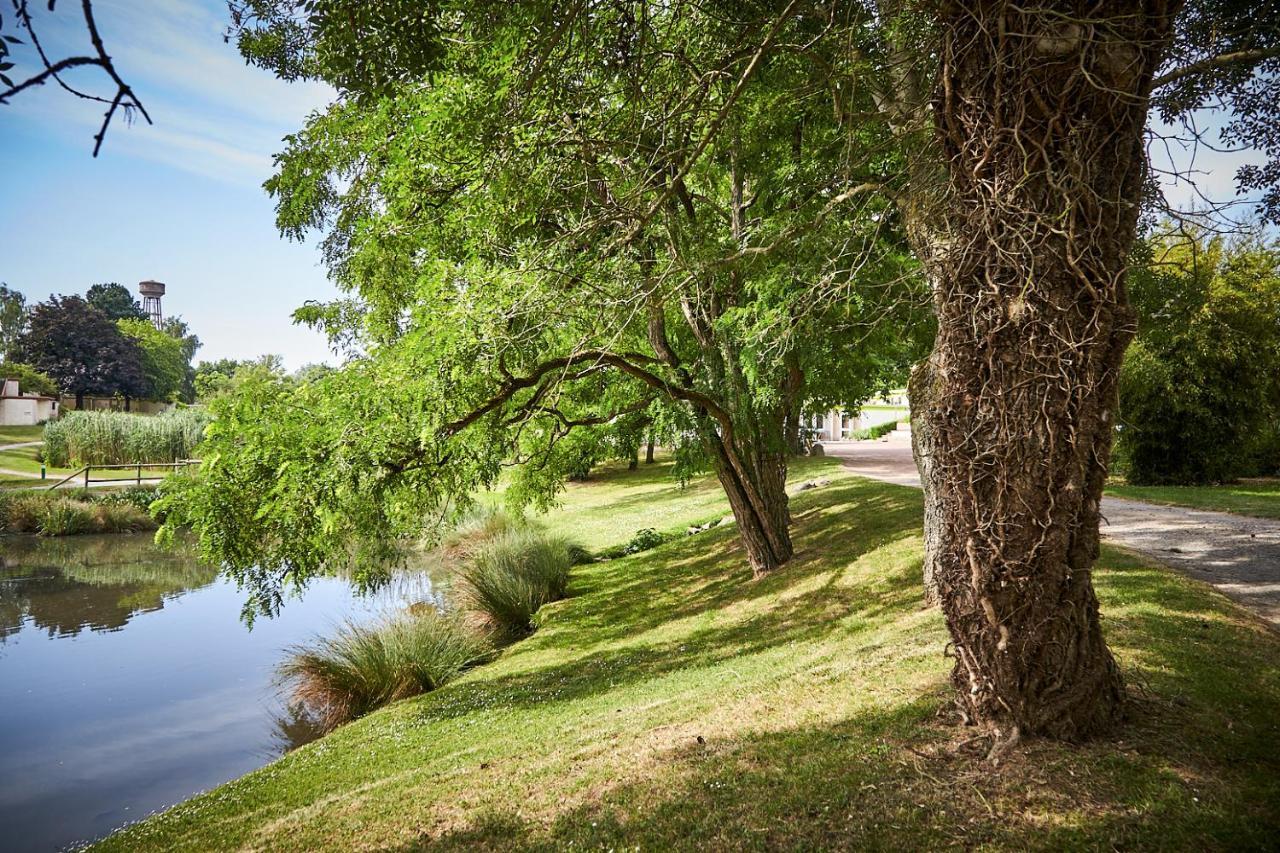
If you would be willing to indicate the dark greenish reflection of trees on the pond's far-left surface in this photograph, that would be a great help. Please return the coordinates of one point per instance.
(66, 586)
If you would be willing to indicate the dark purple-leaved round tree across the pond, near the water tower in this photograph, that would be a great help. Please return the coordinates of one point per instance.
(81, 349)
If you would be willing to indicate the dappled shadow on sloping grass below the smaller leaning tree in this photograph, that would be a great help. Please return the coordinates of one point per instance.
(737, 618)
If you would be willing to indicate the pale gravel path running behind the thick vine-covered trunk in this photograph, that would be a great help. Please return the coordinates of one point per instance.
(1238, 555)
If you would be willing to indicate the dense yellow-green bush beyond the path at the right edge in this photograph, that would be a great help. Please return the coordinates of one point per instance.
(1200, 390)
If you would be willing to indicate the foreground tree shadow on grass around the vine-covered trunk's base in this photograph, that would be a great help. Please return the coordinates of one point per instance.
(884, 781)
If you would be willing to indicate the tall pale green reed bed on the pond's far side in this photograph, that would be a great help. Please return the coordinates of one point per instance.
(121, 439)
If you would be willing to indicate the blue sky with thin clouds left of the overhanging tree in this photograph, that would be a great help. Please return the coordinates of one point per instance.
(180, 202)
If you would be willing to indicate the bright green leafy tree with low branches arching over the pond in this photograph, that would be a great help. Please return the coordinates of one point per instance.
(546, 222)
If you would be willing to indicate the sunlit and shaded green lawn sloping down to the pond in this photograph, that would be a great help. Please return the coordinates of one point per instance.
(673, 703)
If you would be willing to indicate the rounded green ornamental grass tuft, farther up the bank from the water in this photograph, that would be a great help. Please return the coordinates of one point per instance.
(513, 577)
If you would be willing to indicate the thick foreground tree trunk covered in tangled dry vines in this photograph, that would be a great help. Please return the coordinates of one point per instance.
(1040, 115)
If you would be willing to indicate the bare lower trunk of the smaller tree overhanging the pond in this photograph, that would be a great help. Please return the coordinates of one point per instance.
(756, 487)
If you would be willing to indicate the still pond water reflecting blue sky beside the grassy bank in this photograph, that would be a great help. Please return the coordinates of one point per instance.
(130, 683)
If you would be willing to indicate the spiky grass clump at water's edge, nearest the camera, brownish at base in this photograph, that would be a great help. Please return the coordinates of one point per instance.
(362, 669)
